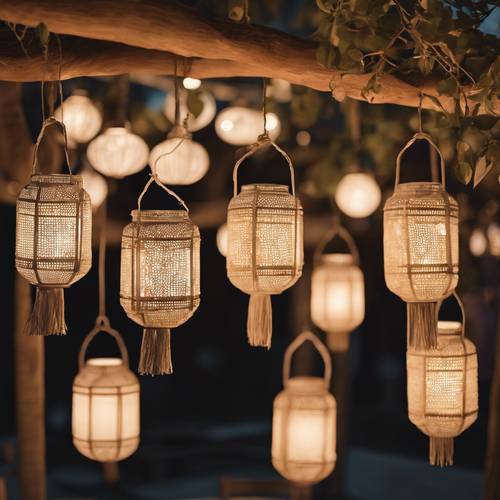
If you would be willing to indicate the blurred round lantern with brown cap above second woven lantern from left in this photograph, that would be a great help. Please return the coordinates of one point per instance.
(179, 160)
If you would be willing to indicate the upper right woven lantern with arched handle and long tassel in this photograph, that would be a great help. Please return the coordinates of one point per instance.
(421, 248)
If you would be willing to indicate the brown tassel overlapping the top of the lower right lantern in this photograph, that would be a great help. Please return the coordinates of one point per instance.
(422, 325)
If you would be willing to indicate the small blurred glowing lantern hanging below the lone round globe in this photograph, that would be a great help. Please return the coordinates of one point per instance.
(337, 291)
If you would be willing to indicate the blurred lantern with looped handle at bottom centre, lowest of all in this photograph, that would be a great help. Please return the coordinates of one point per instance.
(304, 422)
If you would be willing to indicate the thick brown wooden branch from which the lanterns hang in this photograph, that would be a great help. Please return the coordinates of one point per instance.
(212, 48)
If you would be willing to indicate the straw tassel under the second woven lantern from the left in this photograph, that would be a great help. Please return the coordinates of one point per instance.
(155, 356)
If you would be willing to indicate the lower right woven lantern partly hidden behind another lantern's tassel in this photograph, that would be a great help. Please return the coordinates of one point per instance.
(443, 388)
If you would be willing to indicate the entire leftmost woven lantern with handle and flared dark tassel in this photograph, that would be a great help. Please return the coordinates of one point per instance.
(53, 240)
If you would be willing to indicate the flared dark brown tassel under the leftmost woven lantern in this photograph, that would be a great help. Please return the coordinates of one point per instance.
(47, 316)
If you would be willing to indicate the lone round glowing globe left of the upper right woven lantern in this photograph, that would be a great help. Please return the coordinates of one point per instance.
(358, 194)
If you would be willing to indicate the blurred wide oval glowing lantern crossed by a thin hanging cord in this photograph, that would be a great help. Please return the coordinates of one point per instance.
(238, 125)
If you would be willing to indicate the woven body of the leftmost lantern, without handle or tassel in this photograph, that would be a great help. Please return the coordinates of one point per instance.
(53, 230)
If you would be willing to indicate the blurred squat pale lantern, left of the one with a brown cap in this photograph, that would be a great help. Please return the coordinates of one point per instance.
(118, 152)
